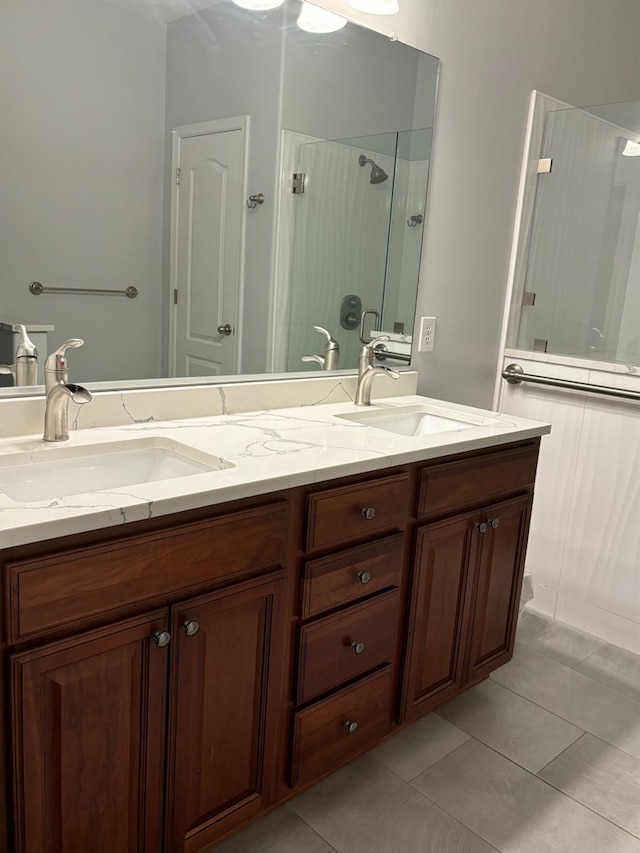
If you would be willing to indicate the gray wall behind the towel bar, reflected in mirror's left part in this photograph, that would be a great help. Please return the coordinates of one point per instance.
(81, 188)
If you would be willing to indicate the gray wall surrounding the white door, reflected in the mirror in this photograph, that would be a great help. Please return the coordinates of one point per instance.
(219, 66)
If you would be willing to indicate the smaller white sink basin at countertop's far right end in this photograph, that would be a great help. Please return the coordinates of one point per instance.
(418, 420)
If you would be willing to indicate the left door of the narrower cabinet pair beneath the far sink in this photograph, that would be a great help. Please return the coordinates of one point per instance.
(435, 652)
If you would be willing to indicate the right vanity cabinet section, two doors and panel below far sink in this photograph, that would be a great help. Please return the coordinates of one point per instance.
(467, 576)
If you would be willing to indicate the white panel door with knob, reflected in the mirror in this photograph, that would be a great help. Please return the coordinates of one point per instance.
(208, 242)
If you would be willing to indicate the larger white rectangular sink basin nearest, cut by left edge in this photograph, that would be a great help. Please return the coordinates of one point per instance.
(55, 472)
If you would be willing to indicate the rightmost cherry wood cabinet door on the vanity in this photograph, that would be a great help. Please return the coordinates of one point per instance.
(497, 581)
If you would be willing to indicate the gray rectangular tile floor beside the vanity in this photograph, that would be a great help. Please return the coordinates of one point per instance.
(544, 756)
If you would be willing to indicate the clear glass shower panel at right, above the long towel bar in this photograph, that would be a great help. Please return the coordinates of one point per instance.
(581, 291)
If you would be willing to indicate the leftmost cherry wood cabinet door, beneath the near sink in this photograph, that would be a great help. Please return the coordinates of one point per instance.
(88, 741)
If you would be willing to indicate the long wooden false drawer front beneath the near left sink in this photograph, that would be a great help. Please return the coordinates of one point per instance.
(78, 585)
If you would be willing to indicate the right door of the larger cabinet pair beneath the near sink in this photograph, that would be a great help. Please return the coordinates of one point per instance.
(226, 692)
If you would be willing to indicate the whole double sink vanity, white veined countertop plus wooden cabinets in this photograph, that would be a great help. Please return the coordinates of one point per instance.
(205, 613)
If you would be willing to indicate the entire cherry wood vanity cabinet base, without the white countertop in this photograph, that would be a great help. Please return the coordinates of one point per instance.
(169, 681)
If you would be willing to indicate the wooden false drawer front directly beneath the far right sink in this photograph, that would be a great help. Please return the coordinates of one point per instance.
(455, 486)
